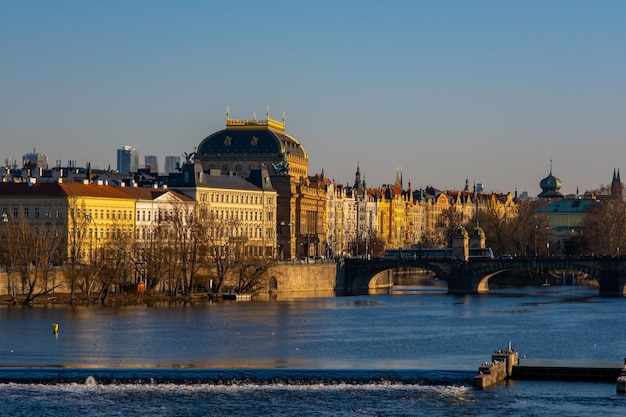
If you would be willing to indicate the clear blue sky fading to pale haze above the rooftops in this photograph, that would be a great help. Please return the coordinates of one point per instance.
(495, 92)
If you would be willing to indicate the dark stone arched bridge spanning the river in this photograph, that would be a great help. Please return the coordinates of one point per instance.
(473, 277)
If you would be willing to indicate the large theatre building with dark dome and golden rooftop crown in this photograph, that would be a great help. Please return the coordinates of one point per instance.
(249, 145)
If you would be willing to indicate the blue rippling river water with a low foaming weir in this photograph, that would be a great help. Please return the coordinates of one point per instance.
(410, 353)
